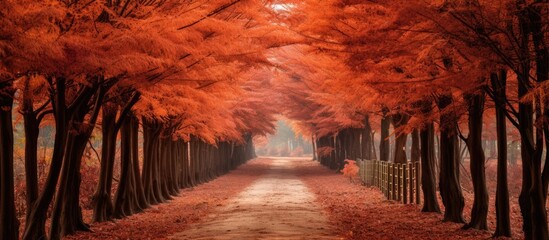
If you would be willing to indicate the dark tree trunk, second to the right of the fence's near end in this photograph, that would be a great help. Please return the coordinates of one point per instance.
(450, 189)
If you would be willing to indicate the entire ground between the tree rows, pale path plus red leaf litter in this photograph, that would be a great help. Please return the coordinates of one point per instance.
(287, 198)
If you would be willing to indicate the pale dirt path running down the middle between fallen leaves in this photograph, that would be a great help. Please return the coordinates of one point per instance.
(276, 206)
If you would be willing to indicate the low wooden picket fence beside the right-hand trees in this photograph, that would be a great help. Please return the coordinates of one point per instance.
(398, 182)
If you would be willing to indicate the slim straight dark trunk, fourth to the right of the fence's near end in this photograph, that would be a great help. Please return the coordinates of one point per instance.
(503, 223)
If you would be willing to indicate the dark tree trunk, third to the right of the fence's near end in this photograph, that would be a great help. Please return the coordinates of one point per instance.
(479, 211)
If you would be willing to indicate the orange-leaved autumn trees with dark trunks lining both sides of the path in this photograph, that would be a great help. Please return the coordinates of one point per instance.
(175, 92)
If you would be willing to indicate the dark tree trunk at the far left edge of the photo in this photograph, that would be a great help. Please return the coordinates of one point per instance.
(9, 225)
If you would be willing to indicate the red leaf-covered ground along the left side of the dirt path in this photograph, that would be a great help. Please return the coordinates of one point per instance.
(191, 206)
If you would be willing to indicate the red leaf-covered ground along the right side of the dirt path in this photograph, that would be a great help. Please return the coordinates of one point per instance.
(360, 212)
